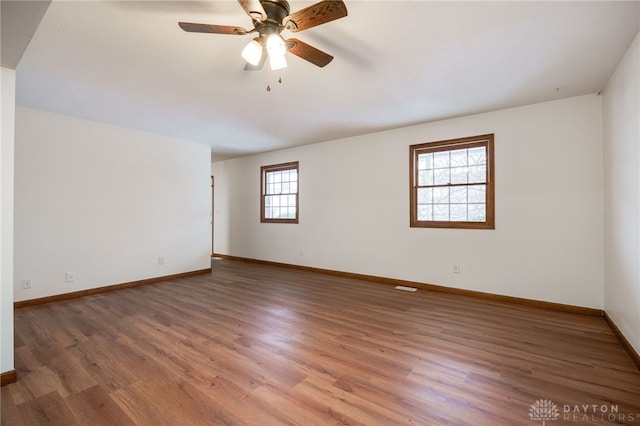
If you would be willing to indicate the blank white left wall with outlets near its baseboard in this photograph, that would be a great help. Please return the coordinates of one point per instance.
(105, 202)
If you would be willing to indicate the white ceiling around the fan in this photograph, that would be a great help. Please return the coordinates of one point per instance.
(396, 63)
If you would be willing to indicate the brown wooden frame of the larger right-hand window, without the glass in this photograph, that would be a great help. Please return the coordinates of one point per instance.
(450, 145)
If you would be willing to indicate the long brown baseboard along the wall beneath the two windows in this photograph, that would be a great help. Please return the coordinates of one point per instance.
(433, 287)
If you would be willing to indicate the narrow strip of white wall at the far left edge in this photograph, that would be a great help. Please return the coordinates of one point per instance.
(7, 89)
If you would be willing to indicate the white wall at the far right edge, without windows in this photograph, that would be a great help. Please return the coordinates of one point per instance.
(621, 132)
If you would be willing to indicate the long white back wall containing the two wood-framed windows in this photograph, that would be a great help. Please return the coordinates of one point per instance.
(354, 207)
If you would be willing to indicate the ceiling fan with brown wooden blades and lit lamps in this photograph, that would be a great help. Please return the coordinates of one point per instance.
(270, 18)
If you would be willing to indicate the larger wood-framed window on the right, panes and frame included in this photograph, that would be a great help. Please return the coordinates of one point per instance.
(452, 183)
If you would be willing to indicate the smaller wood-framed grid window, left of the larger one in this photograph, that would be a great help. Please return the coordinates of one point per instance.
(279, 193)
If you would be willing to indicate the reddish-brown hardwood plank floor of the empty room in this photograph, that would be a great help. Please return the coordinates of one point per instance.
(255, 344)
